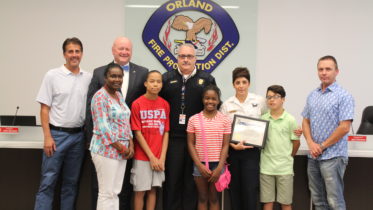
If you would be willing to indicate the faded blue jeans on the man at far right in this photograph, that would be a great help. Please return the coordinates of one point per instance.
(326, 183)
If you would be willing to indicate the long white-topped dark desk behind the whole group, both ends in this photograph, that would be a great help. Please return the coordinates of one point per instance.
(20, 160)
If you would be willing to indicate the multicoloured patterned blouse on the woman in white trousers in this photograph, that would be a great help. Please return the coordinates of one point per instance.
(110, 124)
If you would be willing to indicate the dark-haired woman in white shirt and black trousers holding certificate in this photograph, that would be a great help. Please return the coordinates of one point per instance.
(244, 160)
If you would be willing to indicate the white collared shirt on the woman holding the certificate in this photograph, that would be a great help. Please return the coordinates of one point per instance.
(253, 106)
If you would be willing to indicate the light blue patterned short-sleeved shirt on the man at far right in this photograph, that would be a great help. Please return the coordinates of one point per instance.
(326, 110)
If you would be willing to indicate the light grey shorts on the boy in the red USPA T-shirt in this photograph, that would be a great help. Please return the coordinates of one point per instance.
(143, 178)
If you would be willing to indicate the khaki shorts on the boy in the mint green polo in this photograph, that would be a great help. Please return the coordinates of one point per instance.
(276, 188)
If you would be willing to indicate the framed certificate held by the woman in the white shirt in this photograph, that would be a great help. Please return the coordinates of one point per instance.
(252, 131)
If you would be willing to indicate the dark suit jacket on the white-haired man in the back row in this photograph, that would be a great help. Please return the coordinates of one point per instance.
(136, 88)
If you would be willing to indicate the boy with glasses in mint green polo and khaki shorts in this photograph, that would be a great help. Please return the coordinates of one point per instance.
(277, 157)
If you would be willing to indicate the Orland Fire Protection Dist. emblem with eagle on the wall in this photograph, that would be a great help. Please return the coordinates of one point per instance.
(202, 23)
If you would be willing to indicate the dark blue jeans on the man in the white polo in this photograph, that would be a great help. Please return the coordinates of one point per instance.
(67, 158)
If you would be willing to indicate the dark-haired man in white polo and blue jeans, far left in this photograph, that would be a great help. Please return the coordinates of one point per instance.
(62, 97)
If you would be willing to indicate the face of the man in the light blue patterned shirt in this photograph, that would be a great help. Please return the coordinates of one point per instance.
(327, 72)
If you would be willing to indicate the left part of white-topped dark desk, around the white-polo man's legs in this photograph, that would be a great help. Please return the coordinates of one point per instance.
(20, 161)
